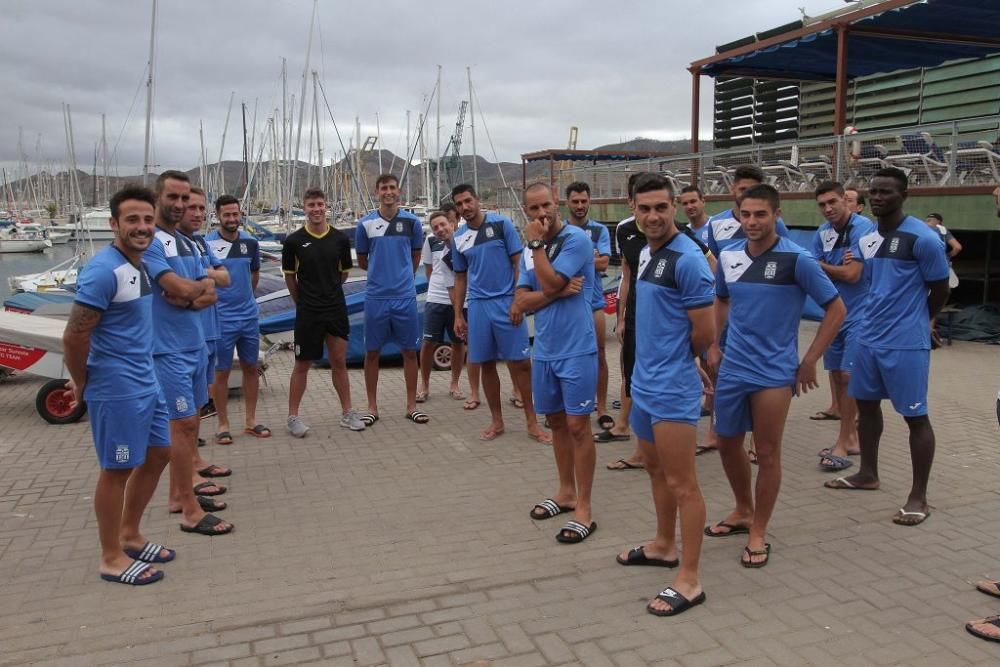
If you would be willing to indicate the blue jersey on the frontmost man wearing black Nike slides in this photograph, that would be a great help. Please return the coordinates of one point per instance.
(669, 283)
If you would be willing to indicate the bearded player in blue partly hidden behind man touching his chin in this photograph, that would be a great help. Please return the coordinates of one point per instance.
(578, 202)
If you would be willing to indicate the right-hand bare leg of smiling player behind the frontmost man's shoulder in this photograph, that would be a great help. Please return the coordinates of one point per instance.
(770, 409)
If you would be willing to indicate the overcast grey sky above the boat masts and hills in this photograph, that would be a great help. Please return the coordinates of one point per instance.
(617, 70)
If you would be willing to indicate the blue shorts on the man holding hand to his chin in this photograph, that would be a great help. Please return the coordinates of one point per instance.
(565, 385)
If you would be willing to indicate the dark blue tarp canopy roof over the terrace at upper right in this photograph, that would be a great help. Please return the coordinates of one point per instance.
(921, 34)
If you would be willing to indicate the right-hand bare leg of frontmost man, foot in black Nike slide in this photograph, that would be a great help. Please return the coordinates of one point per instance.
(675, 446)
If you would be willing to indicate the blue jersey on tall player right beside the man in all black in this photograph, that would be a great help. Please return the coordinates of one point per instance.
(390, 245)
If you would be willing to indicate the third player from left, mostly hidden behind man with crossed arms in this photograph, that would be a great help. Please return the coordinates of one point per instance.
(190, 226)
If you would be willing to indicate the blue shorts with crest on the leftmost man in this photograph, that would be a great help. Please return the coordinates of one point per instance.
(124, 427)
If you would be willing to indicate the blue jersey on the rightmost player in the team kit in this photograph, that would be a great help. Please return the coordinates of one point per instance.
(901, 264)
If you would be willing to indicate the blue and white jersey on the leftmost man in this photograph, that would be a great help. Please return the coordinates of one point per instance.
(120, 363)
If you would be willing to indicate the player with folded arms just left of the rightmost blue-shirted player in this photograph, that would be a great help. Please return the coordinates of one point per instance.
(836, 248)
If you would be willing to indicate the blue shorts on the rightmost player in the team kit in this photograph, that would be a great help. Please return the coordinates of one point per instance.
(899, 375)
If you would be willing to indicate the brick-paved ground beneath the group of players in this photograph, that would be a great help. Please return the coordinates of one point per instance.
(411, 545)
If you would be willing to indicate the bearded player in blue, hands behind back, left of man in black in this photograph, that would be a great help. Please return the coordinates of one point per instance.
(239, 252)
